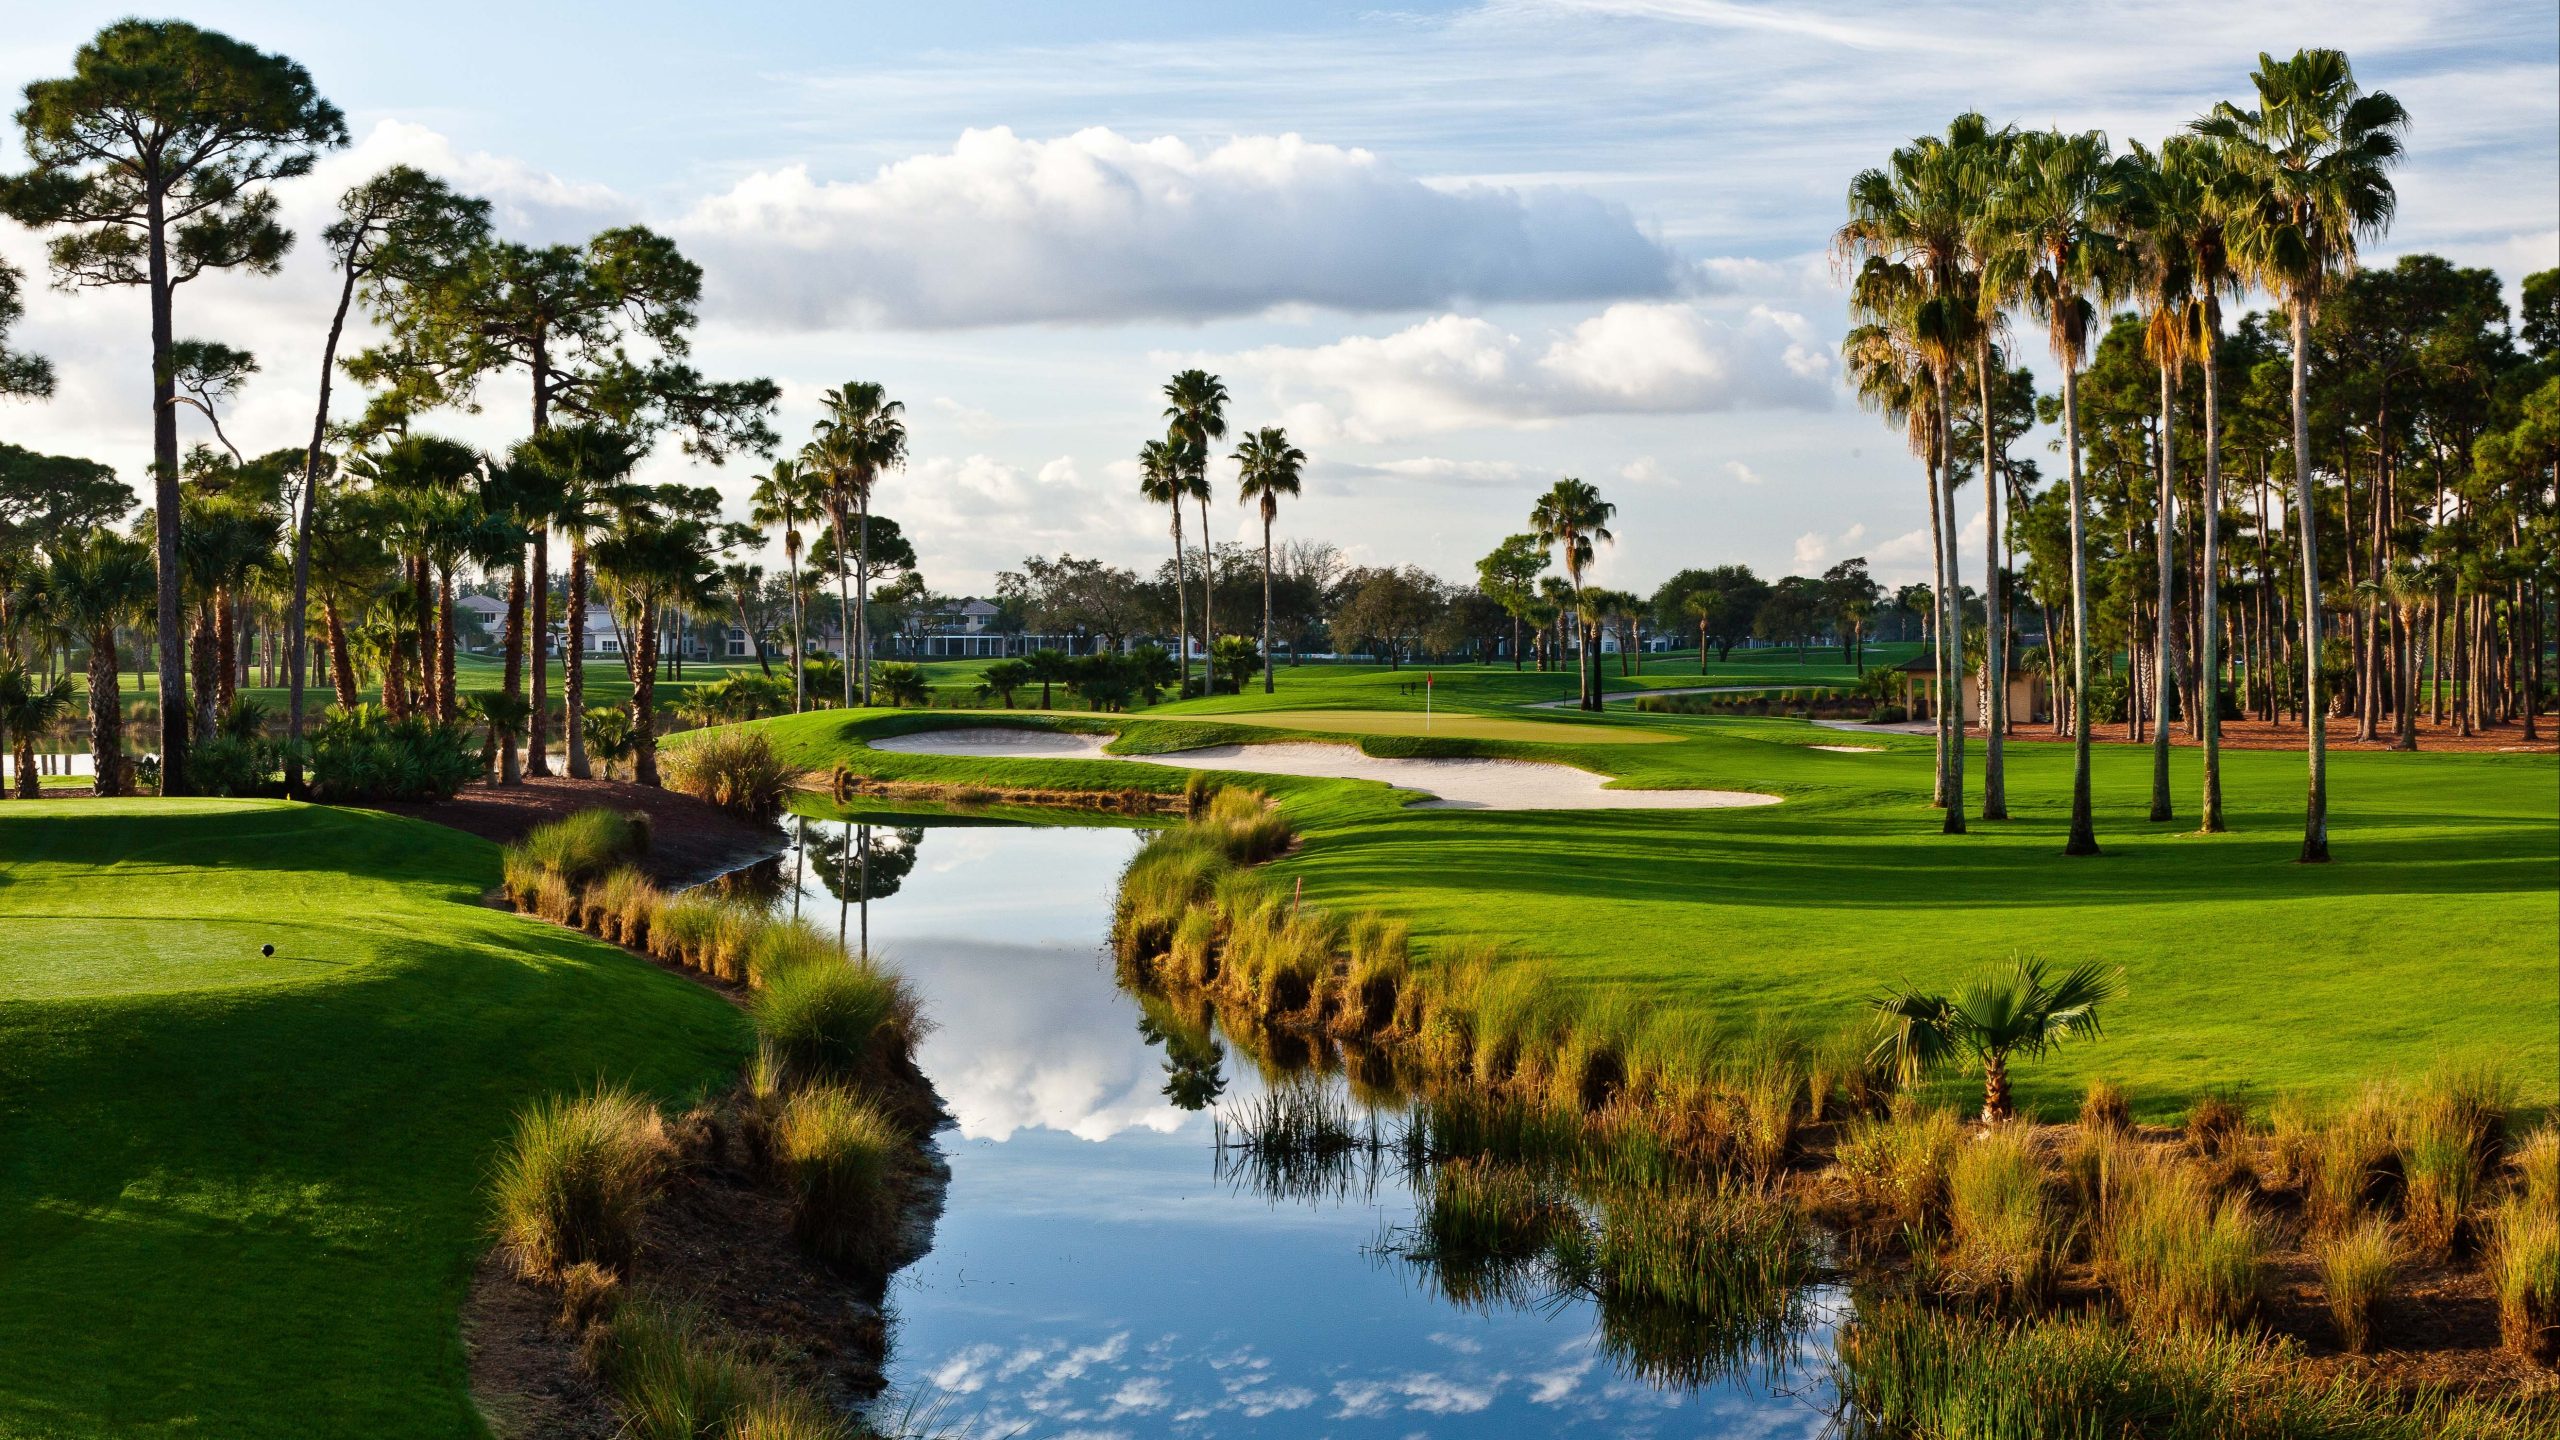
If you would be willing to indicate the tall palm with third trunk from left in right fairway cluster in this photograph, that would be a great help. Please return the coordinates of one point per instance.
(2054, 258)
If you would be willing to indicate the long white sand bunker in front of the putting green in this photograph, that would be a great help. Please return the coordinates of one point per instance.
(1453, 783)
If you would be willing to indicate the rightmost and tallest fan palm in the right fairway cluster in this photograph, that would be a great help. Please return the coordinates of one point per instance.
(2310, 178)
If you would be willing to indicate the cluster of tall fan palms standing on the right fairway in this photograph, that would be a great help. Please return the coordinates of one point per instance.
(1962, 229)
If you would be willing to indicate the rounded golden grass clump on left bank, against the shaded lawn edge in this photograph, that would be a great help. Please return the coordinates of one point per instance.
(577, 1180)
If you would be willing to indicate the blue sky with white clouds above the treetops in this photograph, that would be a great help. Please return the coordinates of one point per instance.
(1455, 250)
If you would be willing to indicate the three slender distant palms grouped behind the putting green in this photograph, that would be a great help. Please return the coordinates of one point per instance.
(1176, 470)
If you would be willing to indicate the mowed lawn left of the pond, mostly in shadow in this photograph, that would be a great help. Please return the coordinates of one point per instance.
(242, 1195)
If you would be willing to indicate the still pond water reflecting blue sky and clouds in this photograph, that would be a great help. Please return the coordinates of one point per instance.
(1105, 1270)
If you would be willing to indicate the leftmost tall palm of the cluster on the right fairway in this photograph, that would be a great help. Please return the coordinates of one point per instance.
(1916, 232)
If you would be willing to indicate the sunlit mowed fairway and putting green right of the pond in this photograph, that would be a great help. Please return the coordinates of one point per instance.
(2436, 934)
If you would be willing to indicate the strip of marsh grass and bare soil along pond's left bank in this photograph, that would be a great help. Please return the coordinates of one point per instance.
(721, 1270)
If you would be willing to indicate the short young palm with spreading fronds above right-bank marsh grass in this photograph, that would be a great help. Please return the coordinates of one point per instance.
(1996, 1016)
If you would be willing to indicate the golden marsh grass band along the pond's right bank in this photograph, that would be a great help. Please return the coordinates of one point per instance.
(2019, 1247)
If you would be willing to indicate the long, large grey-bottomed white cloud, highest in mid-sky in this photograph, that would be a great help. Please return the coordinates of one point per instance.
(1105, 227)
